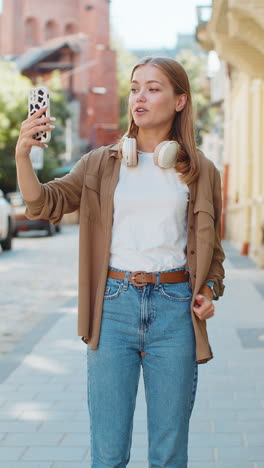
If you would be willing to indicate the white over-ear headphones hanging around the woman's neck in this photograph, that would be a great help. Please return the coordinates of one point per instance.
(165, 154)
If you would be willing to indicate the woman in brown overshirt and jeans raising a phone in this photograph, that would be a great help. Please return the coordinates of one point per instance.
(150, 263)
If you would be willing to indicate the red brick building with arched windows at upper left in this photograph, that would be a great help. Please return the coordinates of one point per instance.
(72, 36)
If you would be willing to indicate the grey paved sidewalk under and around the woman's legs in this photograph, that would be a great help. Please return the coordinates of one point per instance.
(43, 410)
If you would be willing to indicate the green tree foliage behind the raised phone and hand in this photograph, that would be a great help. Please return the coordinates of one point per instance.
(14, 90)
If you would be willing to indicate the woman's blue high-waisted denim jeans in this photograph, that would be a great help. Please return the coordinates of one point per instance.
(154, 319)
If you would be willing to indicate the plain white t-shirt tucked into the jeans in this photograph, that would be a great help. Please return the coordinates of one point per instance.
(149, 229)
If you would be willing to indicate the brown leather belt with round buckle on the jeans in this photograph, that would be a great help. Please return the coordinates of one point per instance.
(142, 278)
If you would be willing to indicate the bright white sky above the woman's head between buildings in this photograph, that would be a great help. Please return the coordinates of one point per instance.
(152, 23)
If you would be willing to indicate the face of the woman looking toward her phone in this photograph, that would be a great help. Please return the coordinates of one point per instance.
(152, 100)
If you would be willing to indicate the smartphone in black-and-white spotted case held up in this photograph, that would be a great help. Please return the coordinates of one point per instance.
(39, 97)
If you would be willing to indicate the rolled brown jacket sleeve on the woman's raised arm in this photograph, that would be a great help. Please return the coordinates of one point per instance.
(59, 196)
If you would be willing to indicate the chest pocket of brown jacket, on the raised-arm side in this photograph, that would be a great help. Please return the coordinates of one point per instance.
(91, 197)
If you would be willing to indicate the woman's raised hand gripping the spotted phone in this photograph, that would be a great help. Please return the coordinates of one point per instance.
(33, 124)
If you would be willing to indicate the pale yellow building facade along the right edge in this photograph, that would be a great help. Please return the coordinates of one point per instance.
(236, 32)
